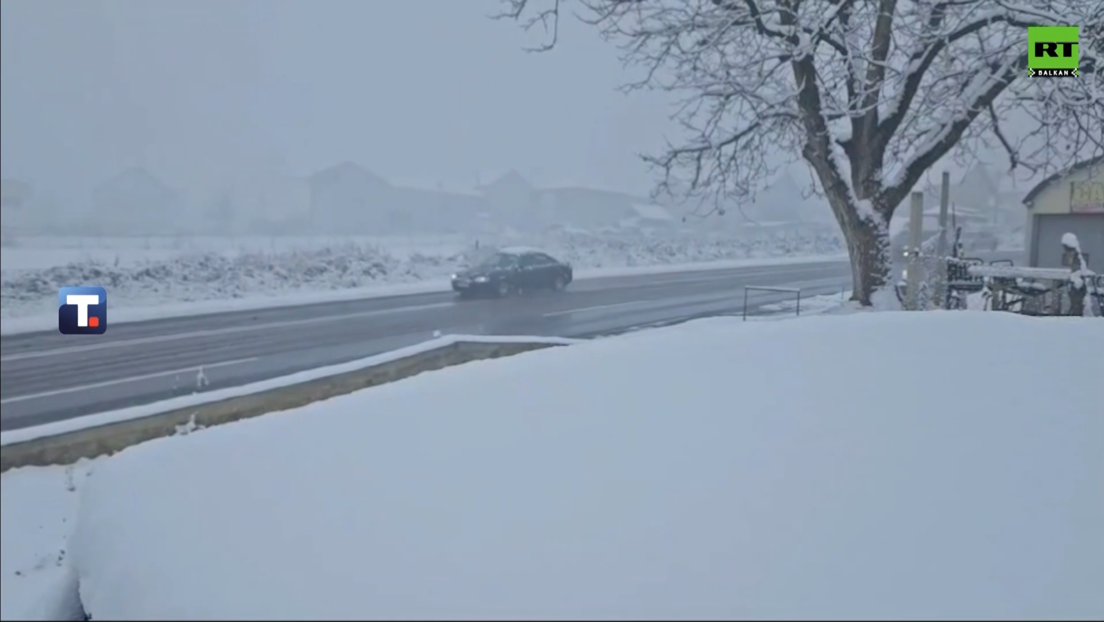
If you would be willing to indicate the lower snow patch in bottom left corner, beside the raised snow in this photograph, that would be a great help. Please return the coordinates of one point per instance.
(39, 510)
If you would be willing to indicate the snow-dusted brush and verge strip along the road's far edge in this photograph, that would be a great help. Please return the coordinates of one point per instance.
(252, 272)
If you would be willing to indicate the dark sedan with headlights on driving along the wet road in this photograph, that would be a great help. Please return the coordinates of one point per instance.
(513, 271)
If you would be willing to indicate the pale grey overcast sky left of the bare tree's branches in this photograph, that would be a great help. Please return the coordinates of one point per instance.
(205, 91)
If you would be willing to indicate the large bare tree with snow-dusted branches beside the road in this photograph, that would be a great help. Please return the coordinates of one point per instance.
(869, 93)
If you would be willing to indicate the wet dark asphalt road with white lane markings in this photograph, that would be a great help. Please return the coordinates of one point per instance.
(51, 377)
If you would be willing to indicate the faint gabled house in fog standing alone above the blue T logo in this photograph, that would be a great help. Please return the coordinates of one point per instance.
(135, 203)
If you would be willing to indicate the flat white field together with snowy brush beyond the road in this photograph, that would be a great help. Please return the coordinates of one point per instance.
(166, 272)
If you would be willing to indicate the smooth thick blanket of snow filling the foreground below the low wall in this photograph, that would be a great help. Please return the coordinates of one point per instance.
(845, 467)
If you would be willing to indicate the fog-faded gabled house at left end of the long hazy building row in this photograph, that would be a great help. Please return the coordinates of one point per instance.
(347, 198)
